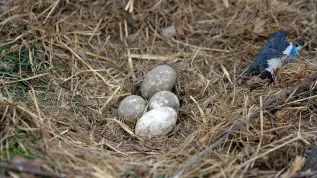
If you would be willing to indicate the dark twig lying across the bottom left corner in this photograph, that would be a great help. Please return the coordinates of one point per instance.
(29, 171)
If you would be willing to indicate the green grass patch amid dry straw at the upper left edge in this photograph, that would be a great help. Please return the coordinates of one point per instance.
(19, 61)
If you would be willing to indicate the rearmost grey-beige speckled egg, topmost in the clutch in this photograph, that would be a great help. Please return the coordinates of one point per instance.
(161, 78)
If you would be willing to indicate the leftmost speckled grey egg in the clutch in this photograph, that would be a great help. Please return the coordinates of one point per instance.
(131, 108)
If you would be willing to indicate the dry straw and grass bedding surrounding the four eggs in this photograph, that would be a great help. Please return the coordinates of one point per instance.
(66, 64)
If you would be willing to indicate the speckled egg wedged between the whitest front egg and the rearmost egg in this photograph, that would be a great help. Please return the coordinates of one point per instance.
(164, 98)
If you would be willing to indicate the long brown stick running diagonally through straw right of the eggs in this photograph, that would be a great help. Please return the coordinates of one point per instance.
(236, 127)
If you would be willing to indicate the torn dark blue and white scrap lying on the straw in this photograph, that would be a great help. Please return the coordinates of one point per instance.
(276, 53)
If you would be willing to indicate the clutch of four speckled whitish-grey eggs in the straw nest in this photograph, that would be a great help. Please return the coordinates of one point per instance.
(155, 111)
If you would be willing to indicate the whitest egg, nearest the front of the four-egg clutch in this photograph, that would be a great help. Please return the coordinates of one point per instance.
(157, 122)
